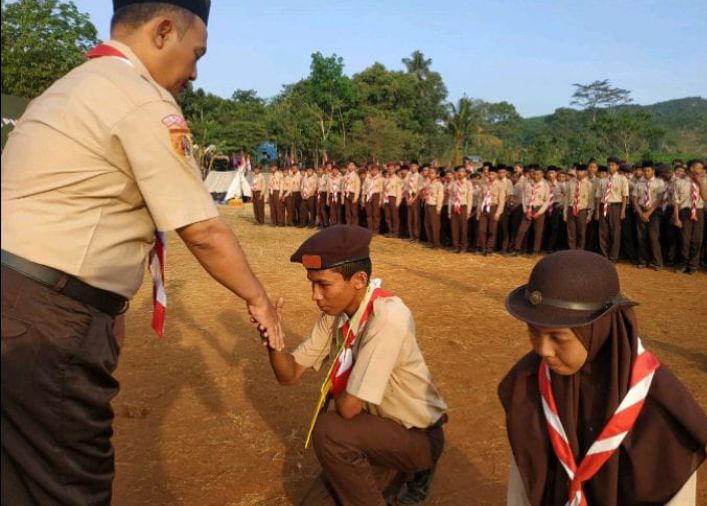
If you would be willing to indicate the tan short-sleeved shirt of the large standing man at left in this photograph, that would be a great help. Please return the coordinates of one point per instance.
(95, 165)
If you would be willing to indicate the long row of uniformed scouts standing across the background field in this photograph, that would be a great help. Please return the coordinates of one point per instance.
(650, 215)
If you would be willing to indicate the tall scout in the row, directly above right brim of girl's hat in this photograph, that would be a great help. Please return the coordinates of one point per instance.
(612, 197)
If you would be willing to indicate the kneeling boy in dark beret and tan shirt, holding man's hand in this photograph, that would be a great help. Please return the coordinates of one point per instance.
(388, 415)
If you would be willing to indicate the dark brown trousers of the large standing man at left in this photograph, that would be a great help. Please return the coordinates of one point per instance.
(58, 356)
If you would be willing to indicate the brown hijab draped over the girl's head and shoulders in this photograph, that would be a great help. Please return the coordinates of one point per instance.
(657, 457)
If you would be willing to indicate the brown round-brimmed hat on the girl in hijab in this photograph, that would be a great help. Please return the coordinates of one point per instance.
(567, 289)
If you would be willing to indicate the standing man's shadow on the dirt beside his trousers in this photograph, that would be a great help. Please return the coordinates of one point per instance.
(176, 367)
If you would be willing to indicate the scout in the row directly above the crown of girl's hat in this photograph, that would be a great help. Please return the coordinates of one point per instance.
(578, 208)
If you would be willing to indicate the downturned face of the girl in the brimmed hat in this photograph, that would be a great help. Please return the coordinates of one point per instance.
(560, 349)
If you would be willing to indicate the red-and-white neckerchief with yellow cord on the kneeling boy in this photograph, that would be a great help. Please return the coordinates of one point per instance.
(338, 374)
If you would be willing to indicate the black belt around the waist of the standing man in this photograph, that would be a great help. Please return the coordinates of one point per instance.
(108, 302)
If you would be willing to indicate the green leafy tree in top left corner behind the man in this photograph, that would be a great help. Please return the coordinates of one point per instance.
(42, 40)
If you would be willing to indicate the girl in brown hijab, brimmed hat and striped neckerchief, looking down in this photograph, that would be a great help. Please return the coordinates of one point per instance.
(593, 418)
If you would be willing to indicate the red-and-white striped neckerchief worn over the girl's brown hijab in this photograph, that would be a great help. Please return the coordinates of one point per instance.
(616, 429)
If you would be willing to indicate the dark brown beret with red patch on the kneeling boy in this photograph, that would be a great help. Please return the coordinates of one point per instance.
(334, 246)
